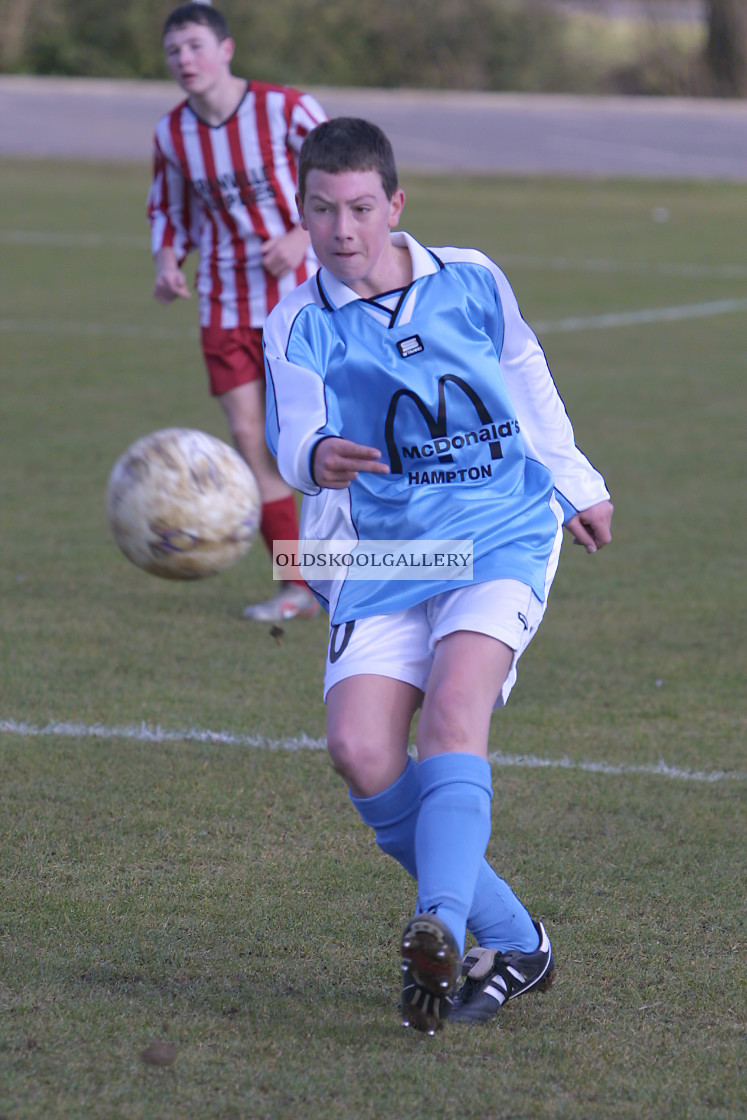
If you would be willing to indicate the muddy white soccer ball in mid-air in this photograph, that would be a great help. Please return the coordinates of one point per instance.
(183, 505)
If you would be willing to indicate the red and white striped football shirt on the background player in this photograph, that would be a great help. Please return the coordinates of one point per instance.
(225, 191)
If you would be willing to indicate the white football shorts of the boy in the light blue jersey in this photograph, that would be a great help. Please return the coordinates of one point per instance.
(401, 645)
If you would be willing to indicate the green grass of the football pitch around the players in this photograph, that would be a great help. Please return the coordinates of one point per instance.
(226, 898)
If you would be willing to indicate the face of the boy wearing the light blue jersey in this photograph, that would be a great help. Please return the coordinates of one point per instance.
(350, 218)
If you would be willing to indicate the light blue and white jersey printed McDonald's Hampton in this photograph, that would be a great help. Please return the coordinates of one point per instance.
(451, 385)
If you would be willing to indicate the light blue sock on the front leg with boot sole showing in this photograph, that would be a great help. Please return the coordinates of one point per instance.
(452, 835)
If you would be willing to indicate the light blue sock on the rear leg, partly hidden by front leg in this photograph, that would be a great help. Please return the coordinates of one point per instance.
(497, 920)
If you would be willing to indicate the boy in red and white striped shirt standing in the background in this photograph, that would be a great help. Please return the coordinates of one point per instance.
(225, 184)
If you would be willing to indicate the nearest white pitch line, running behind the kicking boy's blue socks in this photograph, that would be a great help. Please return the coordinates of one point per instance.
(143, 733)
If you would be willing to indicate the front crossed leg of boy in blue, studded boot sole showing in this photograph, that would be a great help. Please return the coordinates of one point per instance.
(454, 823)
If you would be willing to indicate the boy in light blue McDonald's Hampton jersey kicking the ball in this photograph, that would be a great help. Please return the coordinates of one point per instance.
(408, 400)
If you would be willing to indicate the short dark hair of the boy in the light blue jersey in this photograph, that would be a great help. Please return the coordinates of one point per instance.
(348, 144)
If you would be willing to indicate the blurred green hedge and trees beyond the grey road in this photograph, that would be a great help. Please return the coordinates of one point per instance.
(519, 45)
